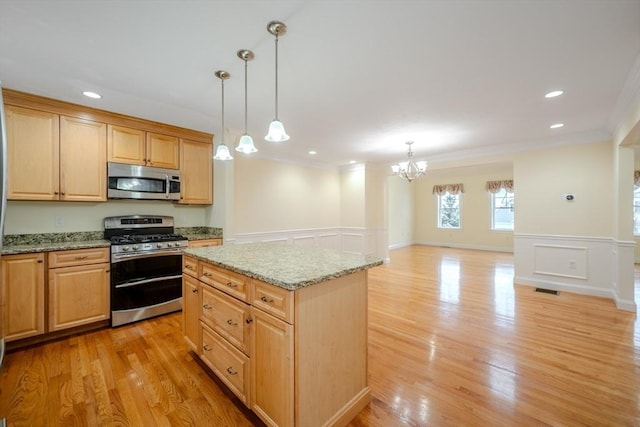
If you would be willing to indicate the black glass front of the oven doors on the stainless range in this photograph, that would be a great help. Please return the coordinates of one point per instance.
(146, 281)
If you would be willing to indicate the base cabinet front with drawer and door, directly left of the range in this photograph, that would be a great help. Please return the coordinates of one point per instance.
(78, 287)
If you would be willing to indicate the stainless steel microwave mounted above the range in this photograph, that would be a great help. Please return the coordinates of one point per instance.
(142, 182)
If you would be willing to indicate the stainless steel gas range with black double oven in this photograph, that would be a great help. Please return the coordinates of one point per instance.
(146, 267)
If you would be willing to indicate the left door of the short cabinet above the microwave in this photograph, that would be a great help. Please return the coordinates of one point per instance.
(126, 145)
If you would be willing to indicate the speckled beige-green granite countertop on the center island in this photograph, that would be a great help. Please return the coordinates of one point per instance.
(287, 266)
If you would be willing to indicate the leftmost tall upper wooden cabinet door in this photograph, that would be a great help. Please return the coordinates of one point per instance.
(33, 141)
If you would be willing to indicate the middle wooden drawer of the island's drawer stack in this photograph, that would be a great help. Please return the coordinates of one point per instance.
(227, 316)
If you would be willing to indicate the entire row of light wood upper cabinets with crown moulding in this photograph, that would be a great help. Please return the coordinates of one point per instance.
(59, 151)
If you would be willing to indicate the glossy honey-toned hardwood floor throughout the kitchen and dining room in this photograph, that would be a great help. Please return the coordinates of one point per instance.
(451, 342)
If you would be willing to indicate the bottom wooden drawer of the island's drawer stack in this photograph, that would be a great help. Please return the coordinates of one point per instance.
(229, 364)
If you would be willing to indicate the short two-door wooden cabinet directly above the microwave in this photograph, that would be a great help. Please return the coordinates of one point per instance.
(137, 147)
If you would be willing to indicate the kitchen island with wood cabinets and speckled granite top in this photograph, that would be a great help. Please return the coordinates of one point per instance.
(283, 326)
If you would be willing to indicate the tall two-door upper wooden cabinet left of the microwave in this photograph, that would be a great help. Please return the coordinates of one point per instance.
(53, 157)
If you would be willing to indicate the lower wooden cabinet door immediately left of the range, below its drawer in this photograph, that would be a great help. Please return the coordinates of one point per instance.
(78, 295)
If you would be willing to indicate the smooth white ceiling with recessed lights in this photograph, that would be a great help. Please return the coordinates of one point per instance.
(356, 78)
